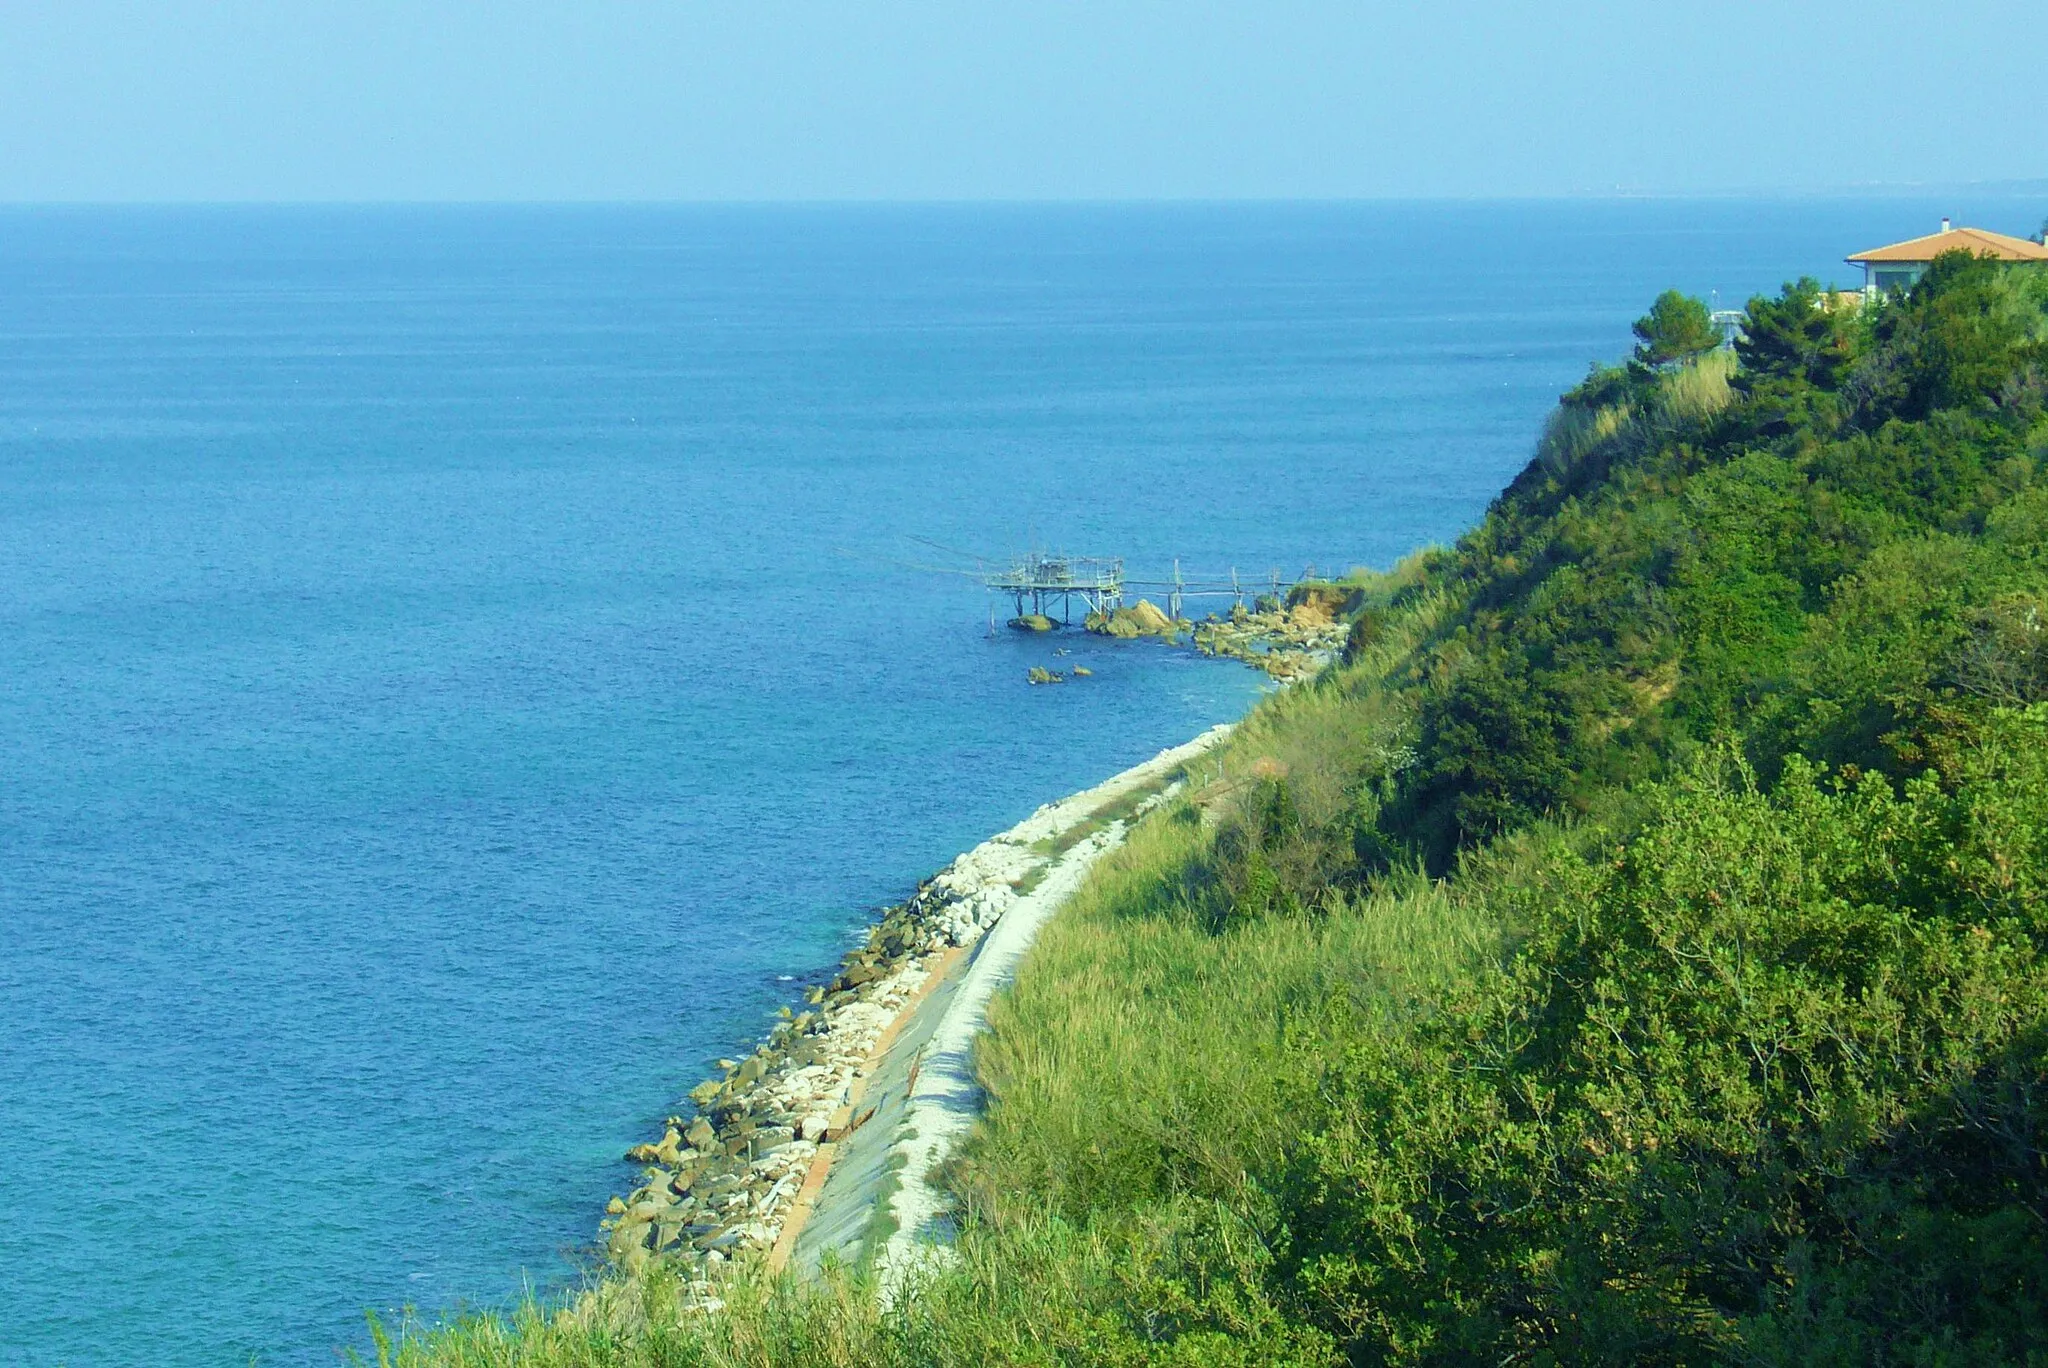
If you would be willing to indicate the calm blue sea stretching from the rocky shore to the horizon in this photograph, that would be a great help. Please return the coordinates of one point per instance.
(462, 671)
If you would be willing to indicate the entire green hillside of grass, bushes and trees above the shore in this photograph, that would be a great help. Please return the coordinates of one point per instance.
(1631, 953)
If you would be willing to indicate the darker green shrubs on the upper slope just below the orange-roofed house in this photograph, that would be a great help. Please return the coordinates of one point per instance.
(1660, 585)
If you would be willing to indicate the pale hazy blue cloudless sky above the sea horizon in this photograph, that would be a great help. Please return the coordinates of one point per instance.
(962, 99)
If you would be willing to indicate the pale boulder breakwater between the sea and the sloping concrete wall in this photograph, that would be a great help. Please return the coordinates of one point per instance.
(722, 1185)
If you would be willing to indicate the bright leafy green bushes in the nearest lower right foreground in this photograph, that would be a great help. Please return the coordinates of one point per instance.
(1768, 1074)
